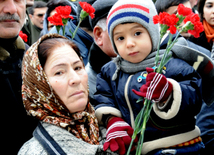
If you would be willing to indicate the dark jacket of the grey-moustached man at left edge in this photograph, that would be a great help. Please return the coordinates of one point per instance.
(16, 126)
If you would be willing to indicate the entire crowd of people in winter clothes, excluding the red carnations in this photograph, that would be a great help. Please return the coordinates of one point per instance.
(64, 96)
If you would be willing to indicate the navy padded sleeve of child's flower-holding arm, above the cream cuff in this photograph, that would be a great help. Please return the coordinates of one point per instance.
(191, 86)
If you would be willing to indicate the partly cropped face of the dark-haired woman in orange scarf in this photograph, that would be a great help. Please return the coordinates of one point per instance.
(209, 12)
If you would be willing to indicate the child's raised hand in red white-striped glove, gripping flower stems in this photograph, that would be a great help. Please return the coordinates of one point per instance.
(157, 87)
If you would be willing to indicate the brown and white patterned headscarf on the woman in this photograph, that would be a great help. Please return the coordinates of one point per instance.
(42, 102)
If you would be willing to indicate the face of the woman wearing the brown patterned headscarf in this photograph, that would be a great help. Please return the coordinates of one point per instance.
(68, 78)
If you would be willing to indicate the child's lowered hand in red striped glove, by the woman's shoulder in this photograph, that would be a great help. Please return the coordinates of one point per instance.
(118, 135)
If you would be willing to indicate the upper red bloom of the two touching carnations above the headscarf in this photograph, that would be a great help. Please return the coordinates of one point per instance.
(64, 11)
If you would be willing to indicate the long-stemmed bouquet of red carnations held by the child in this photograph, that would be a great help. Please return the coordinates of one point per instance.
(172, 23)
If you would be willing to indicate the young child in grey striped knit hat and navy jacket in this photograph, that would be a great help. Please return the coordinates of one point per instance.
(171, 127)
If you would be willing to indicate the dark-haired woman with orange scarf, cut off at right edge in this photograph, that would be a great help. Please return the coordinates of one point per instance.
(206, 12)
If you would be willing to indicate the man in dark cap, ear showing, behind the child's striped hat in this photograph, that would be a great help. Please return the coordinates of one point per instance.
(101, 51)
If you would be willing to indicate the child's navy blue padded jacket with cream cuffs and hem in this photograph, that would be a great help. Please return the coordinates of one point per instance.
(167, 126)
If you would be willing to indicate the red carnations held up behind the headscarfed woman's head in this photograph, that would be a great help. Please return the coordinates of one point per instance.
(60, 18)
